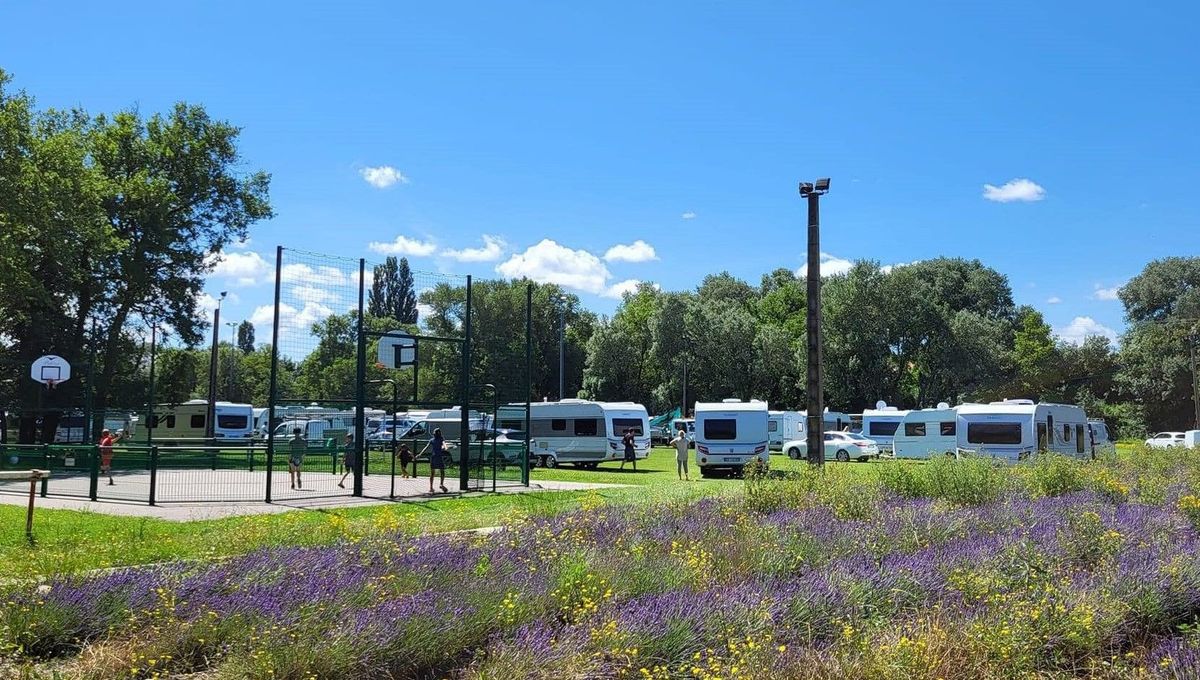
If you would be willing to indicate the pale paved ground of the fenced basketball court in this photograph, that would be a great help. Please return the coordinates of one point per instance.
(241, 492)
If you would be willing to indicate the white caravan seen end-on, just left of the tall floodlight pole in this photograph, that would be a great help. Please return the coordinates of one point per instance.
(730, 435)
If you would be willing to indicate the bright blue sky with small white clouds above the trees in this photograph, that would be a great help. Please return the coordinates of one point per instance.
(683, 127)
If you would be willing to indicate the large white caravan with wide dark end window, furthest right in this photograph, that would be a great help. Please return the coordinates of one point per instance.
(1013, 430)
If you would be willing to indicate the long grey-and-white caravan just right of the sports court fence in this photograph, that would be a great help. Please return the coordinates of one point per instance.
(580, 432)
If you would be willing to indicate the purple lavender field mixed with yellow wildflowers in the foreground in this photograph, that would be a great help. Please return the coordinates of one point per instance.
(1055, 569)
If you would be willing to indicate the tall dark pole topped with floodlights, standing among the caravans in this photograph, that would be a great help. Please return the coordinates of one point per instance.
(813, 192)
